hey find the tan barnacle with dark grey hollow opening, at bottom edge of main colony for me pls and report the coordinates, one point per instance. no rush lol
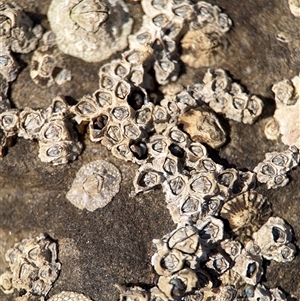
(178, 284)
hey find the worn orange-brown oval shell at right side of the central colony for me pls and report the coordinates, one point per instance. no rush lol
(203, 126)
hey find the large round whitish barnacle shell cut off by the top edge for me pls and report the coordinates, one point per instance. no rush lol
(82, 27)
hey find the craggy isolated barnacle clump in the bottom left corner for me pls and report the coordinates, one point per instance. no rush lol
(33, 268)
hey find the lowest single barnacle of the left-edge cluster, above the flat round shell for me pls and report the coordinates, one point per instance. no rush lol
(59, 152)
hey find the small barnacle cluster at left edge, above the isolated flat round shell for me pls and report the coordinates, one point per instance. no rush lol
(51, 127)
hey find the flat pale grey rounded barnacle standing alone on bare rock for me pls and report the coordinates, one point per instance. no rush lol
(96, 183)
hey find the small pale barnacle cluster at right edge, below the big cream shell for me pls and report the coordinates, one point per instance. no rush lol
(273, 169)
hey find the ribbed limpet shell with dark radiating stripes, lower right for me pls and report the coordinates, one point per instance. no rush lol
(246, 213)
